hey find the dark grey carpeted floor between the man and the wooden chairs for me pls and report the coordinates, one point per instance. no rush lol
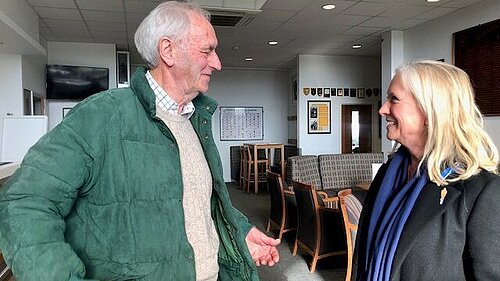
(256, 208)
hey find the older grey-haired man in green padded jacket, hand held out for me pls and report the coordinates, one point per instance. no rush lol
(129, 186)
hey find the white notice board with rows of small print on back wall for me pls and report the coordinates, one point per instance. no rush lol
(241, 123)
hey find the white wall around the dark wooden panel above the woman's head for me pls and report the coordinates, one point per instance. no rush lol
(434, 40)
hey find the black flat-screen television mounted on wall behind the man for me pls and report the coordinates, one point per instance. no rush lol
(75, 82)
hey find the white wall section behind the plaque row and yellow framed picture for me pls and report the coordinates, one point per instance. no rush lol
(335, 72)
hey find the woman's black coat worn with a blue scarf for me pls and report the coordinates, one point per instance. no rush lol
(458, 240)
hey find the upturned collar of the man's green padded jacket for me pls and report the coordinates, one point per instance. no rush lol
(141, 88)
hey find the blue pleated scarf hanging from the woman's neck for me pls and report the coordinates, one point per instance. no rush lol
(391, 209)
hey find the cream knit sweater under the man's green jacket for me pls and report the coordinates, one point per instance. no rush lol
(197, 182)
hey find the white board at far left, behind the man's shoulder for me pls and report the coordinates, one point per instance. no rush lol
(19, 134)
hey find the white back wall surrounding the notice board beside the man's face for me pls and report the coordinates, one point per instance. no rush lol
(266, 88)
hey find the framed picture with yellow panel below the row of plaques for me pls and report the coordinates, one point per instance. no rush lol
(318, 117)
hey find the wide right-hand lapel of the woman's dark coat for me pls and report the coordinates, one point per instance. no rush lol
(426, 209)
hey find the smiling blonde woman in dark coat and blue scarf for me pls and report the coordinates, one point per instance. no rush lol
(433, 210)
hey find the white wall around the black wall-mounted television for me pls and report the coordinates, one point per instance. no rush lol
(80, 54)
